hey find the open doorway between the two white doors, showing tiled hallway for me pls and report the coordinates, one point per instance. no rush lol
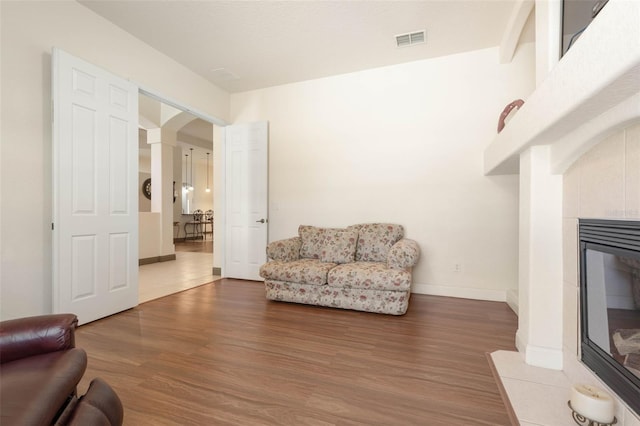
(191, 138)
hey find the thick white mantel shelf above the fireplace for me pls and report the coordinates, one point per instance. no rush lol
(592, 92)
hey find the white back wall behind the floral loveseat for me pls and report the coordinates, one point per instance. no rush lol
(402, 144)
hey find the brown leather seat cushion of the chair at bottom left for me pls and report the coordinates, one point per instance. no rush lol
(33, 389)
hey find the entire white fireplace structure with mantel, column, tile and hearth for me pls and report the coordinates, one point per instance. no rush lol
(576, 146)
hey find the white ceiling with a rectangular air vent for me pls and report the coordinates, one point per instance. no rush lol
(256, 44)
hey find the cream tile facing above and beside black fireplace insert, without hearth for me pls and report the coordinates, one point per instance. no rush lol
(603, 183)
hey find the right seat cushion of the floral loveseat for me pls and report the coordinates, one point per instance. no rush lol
(369, 275)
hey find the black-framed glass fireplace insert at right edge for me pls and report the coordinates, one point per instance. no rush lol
(610, 304)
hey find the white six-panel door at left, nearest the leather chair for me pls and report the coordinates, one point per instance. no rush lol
(95, 203)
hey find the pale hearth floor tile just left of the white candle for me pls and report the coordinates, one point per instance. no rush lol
(539, 404)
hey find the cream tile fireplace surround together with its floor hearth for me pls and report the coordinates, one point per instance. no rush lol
(602, 183)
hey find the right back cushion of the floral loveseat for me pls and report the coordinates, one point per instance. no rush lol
(375, 240)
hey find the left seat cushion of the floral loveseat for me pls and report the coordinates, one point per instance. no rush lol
(304, 271)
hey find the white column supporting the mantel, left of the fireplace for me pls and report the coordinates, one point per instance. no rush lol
(539, 335)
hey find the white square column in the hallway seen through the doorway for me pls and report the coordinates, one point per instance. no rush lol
(162, 185)
